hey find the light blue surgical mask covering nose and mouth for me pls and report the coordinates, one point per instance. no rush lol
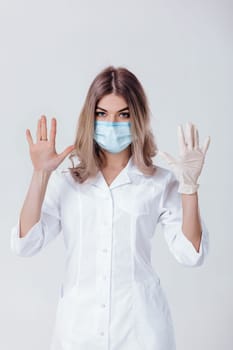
(114, 137)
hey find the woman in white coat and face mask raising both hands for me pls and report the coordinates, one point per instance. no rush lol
(107, 206)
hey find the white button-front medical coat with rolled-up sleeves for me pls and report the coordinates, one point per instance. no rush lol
(111, 297)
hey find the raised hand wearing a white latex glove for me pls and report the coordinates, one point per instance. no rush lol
(188, 166)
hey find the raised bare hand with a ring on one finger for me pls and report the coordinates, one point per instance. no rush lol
(43, 153)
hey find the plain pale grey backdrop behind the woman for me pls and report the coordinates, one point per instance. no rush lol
(182, 52)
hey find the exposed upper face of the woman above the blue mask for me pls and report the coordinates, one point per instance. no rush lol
(112, 108)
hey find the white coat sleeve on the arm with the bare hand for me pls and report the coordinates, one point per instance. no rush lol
(46, 229)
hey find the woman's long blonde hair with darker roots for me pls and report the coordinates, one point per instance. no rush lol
(122, 82)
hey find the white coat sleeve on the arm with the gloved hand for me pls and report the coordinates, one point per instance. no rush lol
(171, 221)
